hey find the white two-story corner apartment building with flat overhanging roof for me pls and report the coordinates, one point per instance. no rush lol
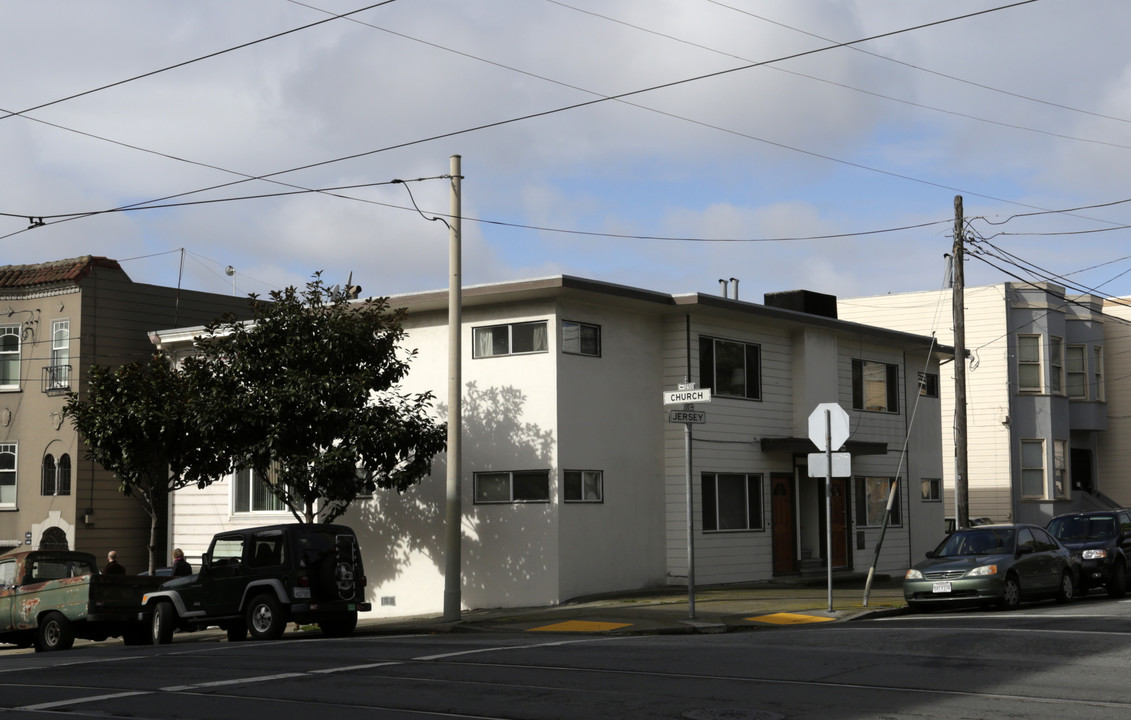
(574, 481)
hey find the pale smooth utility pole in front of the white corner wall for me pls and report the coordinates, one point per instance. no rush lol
(454, 515)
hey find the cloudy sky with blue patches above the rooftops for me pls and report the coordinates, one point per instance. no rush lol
(660, 144)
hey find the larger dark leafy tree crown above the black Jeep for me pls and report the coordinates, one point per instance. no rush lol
(307, 396)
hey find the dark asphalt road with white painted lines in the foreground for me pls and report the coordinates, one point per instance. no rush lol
(1043, 662)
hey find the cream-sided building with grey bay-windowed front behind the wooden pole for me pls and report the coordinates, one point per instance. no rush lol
(1035, 388)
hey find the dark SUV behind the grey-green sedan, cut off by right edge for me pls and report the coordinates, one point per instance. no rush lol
(1102, 542)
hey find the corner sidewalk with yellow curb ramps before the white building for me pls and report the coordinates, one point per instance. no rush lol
(719, 609)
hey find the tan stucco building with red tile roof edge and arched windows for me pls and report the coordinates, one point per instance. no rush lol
(57, 320)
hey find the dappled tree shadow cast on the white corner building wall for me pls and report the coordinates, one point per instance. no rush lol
(508, 550)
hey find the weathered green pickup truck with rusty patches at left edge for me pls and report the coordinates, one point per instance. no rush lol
(48, 598)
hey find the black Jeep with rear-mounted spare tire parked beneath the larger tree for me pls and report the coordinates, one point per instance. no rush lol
(260, 579)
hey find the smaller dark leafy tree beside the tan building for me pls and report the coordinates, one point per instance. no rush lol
(140, 423)
